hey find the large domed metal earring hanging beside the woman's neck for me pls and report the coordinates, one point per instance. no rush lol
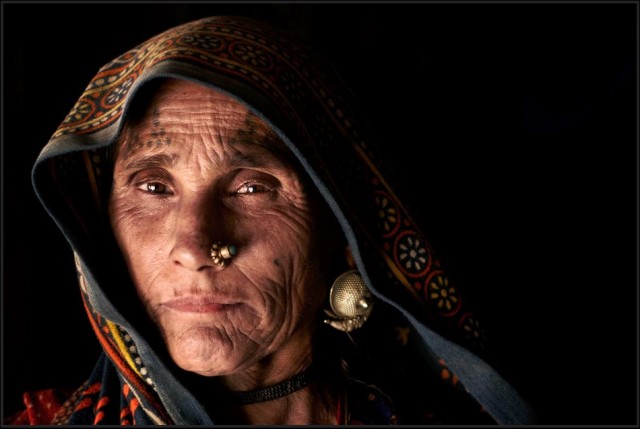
(351, 302)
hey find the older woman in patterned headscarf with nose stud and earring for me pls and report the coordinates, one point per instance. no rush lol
(241, 253)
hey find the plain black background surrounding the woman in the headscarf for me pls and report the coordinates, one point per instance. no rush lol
(514, 126)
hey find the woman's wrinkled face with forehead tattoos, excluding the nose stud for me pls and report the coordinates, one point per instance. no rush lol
(200, 168)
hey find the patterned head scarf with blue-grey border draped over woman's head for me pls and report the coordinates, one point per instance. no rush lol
(424, 330)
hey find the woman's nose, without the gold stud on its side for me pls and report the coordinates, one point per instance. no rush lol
(198, 224)
